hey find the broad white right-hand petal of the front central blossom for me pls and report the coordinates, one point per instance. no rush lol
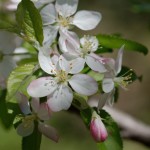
(83, 84)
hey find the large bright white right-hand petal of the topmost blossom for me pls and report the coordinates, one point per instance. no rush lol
(86, 20)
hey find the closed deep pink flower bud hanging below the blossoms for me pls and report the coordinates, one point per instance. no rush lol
(97, 128)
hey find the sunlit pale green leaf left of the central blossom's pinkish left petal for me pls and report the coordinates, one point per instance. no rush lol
(19, 79)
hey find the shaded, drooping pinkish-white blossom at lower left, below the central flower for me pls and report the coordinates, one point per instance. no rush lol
(40, 113)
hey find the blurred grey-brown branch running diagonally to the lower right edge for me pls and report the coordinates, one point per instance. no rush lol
(130, 127)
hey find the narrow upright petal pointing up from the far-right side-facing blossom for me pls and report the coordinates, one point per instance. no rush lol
(118, 63)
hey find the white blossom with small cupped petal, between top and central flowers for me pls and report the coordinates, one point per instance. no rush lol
(84, 49)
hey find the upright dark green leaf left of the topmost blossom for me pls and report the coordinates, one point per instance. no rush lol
(29, 21)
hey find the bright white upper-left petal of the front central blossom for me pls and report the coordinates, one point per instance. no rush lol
(46, 63)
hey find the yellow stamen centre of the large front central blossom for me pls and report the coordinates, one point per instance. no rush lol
(61, 76)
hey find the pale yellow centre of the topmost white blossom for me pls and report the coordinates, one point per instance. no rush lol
(64, 21)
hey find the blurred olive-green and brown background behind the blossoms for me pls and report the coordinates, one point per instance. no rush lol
(119, 17)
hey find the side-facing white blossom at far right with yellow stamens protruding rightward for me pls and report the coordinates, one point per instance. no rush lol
(110, 78)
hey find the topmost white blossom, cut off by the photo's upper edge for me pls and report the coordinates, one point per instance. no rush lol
(61, 16)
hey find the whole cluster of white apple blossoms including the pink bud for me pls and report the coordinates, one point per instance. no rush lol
(64, 56)
